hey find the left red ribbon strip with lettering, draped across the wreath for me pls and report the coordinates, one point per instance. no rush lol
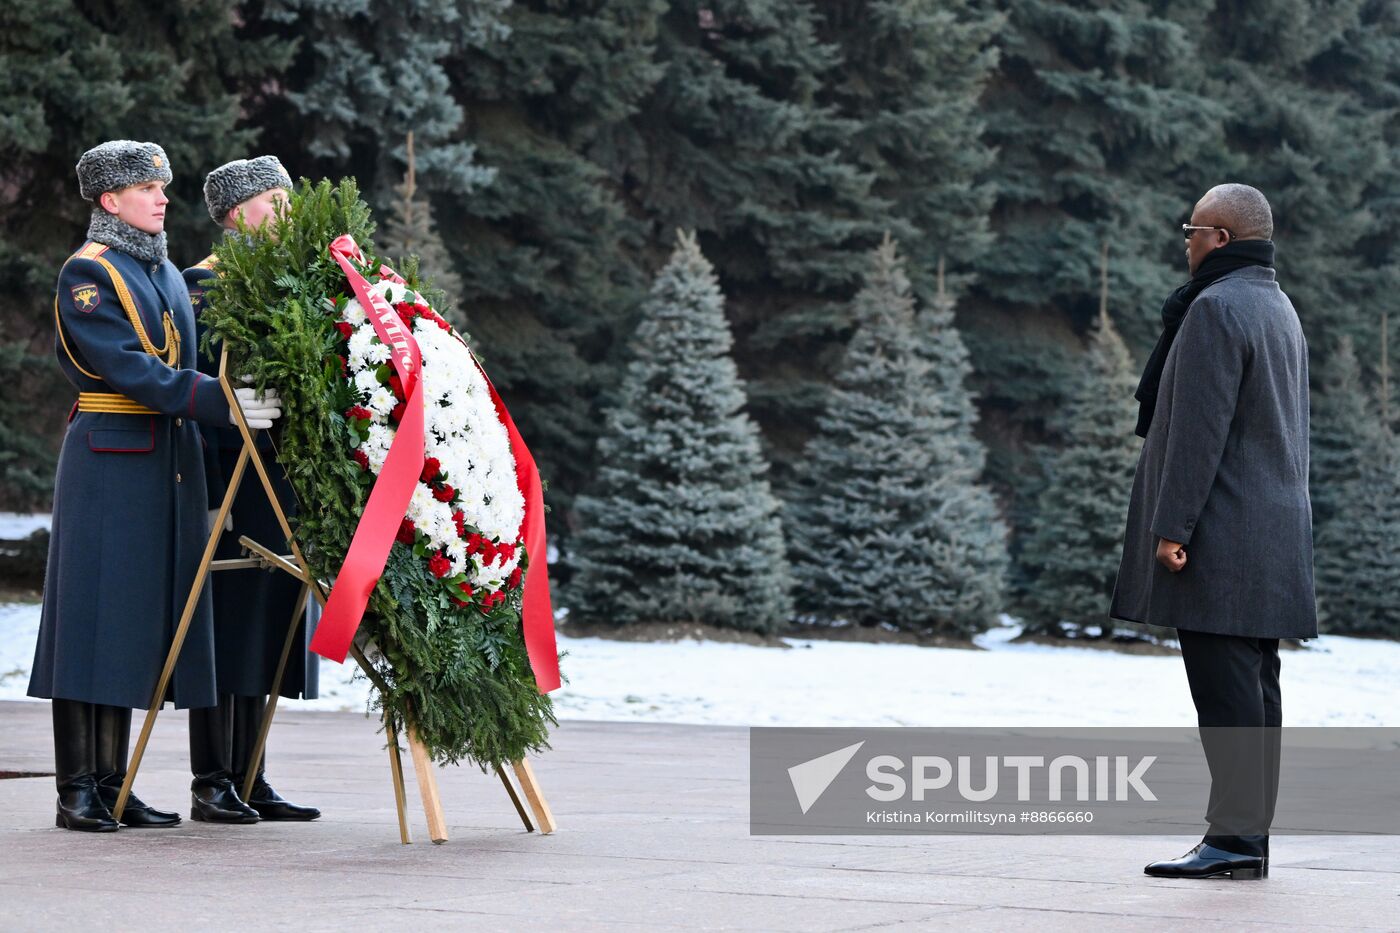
(393, 490)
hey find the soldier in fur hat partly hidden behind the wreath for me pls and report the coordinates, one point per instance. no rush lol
(253, 609)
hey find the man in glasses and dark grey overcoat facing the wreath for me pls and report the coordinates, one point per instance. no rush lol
(1219, 541)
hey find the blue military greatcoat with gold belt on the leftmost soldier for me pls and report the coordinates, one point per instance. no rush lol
(129, 505)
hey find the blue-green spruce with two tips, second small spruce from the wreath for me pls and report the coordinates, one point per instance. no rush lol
(888, 523)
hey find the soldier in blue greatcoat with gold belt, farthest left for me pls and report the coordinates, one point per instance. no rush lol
(129, 501)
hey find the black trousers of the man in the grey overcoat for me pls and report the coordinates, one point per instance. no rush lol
(1240, 710)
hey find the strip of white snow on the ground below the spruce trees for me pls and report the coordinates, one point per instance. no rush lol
(1335, 682)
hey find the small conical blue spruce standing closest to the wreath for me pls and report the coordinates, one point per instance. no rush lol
(681, 526)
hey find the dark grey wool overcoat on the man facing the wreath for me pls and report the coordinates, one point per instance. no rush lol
(1224, 471)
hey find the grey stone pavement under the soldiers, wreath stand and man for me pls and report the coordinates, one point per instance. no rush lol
(653, 837)
